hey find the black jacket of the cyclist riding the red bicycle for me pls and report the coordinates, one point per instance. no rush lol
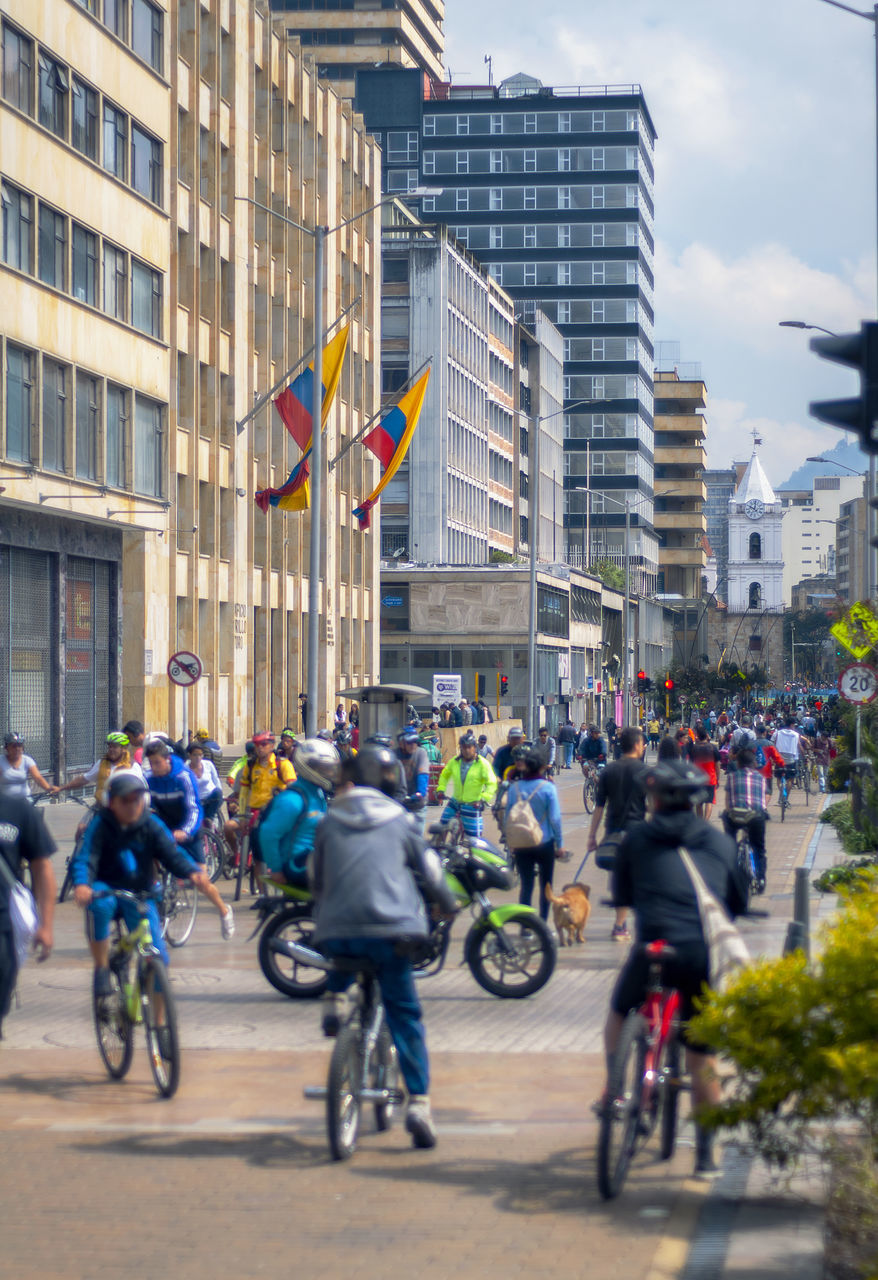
(651, 877)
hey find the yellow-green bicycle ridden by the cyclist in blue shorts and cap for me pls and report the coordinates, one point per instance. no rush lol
(144, 998)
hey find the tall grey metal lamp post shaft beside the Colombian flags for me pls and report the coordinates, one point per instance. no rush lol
(318, 481)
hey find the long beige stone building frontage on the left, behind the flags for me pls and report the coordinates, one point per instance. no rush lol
(143, 310)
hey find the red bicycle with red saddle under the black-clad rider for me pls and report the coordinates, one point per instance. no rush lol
(644, 1089)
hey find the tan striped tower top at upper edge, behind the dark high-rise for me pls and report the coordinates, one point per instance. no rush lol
(345, 36)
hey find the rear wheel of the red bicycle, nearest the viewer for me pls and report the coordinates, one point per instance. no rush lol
(618, 1139)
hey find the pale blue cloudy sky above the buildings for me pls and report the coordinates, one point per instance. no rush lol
(765, 188)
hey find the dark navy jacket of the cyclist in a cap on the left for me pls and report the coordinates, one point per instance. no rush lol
(124, 858)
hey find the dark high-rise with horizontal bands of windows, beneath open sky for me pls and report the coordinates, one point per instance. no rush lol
(554, 191)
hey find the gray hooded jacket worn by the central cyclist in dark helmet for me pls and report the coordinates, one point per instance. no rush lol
(371, 868)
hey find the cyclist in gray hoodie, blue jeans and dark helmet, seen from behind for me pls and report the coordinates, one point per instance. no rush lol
(371, 872)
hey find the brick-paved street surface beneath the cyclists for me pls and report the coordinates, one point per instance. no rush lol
(232, 1178)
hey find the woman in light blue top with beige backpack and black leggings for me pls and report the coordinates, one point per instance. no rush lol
(533, 828)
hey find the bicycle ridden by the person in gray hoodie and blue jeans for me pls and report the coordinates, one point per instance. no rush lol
(364, 1066)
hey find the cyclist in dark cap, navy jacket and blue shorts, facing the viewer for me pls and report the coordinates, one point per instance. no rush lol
(120, 851)
